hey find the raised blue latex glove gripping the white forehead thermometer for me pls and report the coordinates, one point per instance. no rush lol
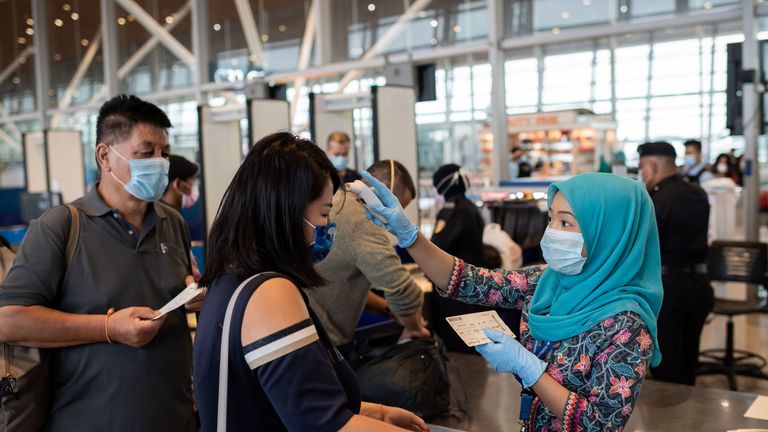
(398, 223)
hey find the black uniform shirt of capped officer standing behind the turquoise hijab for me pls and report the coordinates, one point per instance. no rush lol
(682, 213)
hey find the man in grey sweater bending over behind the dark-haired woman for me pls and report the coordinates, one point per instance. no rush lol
(362, 258)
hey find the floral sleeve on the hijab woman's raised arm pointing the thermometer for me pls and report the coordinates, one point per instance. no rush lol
(496, 288)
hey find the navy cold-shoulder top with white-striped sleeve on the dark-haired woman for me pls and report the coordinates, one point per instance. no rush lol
(291, 380)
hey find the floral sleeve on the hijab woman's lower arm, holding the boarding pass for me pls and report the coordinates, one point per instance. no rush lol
(613, 375)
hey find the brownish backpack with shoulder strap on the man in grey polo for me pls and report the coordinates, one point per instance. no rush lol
(25, 375)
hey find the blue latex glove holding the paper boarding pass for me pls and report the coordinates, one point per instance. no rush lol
(506, 354)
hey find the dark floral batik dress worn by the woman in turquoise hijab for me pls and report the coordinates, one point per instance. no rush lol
(603, 367)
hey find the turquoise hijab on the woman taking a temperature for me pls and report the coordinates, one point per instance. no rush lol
(623, 267)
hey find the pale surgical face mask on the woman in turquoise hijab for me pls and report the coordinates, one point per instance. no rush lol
(562, 251)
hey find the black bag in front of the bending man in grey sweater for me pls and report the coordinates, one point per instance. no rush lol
(412, 375)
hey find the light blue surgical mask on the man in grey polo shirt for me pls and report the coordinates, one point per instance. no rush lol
(149, 177)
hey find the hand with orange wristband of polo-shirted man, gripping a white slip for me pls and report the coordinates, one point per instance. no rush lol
(133, 326)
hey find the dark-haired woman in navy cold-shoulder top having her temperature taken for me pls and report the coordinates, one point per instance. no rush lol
(282, 372)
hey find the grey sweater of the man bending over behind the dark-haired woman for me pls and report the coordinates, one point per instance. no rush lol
(362, 258)
